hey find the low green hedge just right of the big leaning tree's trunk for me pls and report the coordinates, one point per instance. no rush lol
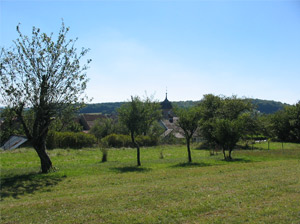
(69, 140)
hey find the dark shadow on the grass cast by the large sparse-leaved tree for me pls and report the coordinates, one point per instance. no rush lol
(26, 184)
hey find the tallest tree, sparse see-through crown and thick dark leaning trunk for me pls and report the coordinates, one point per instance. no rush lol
(44, 75)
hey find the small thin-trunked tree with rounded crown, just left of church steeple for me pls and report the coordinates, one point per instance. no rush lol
(138, 116)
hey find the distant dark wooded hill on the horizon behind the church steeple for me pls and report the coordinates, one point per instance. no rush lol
(263, 106)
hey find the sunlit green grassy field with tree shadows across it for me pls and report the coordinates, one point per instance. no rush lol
(258, 186)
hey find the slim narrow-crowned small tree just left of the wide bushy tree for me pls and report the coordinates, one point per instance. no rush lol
(188, 121)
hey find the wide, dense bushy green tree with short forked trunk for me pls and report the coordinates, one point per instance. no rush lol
(224, 121)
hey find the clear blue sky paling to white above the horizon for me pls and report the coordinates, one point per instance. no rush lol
(187, 48)
